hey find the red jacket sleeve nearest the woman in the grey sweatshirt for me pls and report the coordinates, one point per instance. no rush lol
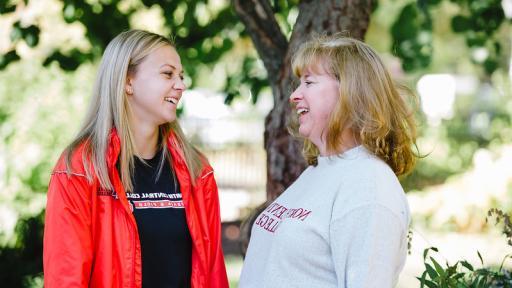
(218, 276)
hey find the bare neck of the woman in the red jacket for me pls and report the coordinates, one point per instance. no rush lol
(146, 140)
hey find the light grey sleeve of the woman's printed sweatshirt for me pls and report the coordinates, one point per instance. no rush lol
(367, 247)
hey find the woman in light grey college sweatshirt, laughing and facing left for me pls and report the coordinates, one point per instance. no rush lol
(344, 221)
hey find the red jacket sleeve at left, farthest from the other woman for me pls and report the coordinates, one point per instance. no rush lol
(67, 244)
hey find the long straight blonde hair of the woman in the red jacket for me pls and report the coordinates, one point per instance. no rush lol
(109, 109)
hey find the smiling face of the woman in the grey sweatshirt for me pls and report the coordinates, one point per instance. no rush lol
(314, 100)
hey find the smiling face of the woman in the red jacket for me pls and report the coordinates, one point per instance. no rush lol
(155, 87)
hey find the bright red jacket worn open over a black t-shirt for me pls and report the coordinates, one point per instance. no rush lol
(91, 237)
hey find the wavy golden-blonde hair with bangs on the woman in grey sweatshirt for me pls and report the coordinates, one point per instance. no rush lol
(369, 102)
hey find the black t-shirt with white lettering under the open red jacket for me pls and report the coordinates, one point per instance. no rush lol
(164, 235)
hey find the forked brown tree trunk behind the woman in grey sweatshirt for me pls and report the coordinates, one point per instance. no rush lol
(284, 160)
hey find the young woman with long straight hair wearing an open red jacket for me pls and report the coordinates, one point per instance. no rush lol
(130, 202)
